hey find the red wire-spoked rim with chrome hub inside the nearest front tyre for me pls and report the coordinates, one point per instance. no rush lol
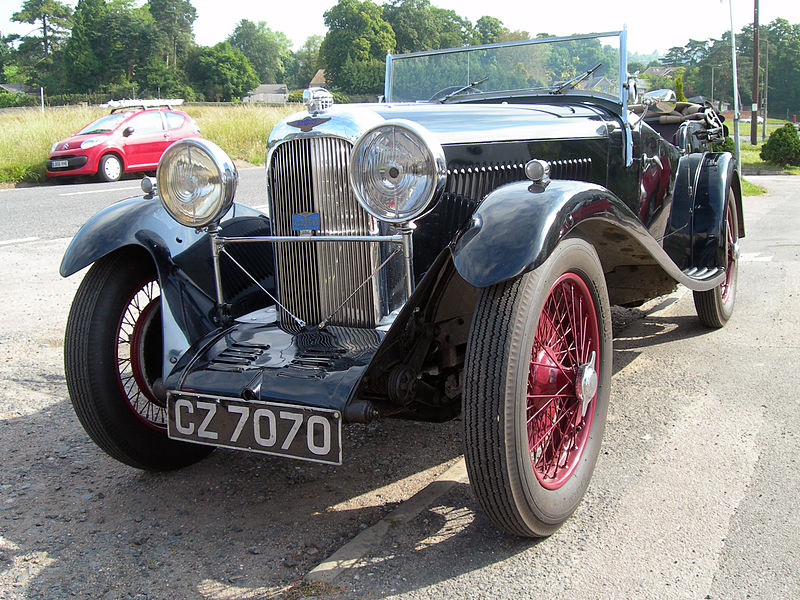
(562, 381)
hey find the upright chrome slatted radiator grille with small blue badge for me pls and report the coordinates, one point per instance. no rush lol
(309, 175)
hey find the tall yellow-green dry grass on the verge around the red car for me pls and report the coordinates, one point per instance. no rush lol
(27, 135)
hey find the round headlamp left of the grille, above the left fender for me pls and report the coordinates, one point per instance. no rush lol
(196, 182)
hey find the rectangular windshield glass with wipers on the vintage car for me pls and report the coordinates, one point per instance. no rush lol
(541, 64)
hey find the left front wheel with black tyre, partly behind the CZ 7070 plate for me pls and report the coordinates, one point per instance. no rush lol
(112, 355)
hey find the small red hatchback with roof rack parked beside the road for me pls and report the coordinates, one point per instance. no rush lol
(131, 138)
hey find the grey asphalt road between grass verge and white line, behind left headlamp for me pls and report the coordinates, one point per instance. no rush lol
(57, 210)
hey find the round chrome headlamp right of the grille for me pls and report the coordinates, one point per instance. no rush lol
(396, 169)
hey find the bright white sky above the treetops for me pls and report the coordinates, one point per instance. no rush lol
(649, 29)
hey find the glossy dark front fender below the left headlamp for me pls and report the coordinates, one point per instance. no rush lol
(187, 289)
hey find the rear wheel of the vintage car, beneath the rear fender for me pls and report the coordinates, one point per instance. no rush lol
(715, 307)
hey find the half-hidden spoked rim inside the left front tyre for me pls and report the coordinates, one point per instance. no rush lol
(138, 354)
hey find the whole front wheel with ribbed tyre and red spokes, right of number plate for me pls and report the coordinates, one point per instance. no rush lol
(536, 388)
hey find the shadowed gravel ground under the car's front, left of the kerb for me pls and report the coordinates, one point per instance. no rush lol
(75, 523)
